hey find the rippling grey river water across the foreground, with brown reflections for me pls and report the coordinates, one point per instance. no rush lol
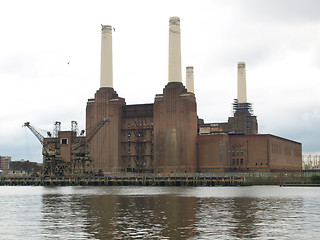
(256, 212)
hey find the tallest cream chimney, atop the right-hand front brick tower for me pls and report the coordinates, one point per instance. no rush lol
(174, 50)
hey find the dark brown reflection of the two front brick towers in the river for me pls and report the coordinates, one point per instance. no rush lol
(155, 217)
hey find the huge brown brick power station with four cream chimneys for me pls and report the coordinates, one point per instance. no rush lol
(167, 136)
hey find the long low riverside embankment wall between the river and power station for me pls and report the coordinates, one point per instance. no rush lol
(296, 178)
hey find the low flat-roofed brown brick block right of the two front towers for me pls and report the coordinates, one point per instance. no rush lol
(258, 152)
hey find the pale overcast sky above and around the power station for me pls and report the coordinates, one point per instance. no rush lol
(278, 40)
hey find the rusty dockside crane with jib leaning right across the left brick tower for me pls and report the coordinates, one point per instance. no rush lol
(81, 162)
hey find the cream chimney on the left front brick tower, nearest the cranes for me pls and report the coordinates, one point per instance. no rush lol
(106, 73)
